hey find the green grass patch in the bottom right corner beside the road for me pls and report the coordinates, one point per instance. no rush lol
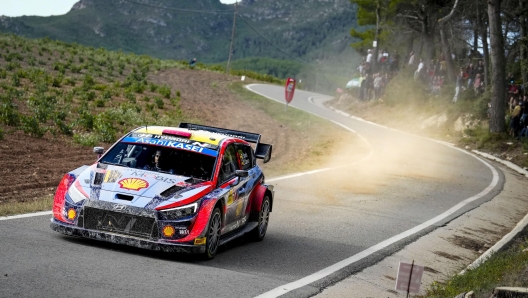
(506, 268)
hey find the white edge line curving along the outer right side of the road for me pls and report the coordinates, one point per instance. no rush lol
(281, 290)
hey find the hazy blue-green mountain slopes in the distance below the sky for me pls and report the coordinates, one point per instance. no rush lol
(184, 29)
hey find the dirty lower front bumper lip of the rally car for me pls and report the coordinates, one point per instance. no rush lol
(70, 230)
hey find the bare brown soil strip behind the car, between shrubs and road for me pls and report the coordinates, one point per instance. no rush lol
(31, 168)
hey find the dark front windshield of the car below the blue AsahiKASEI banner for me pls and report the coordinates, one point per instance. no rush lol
(161, 159)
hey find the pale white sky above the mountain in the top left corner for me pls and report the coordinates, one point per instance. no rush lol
(16, 8)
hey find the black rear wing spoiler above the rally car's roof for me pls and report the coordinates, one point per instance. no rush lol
(262, 151)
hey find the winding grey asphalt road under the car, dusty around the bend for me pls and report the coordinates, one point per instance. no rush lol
(324, 226)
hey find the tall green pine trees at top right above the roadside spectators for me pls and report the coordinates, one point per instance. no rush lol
(494, 31)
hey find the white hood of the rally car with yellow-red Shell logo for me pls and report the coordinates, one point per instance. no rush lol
(140, 188)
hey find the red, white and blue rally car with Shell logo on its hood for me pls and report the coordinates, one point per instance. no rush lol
(190, 189)
